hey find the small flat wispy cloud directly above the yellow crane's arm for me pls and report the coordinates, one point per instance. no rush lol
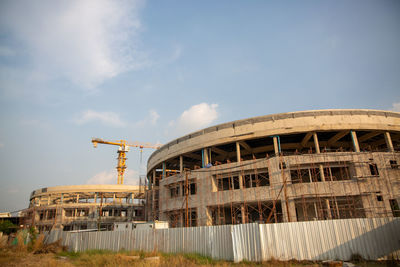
(106, 118)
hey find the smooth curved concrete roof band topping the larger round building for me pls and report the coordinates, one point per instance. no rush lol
(278, 124)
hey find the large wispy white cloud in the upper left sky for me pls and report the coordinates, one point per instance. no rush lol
(86, 42)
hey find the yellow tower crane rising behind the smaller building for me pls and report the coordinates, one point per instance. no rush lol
(122, 150)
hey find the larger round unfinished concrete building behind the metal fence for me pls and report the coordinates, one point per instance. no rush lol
(297, 166)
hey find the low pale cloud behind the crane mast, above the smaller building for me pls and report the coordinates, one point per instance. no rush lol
(131, 177)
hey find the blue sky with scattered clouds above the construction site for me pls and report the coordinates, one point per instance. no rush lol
(152, 71)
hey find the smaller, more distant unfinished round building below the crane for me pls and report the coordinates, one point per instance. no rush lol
(79, 207)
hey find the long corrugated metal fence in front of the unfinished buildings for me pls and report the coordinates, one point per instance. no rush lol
(371, 238)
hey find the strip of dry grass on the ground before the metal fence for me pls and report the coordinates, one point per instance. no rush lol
(13, 257)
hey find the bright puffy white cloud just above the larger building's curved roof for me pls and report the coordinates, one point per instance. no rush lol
(195, 118)
